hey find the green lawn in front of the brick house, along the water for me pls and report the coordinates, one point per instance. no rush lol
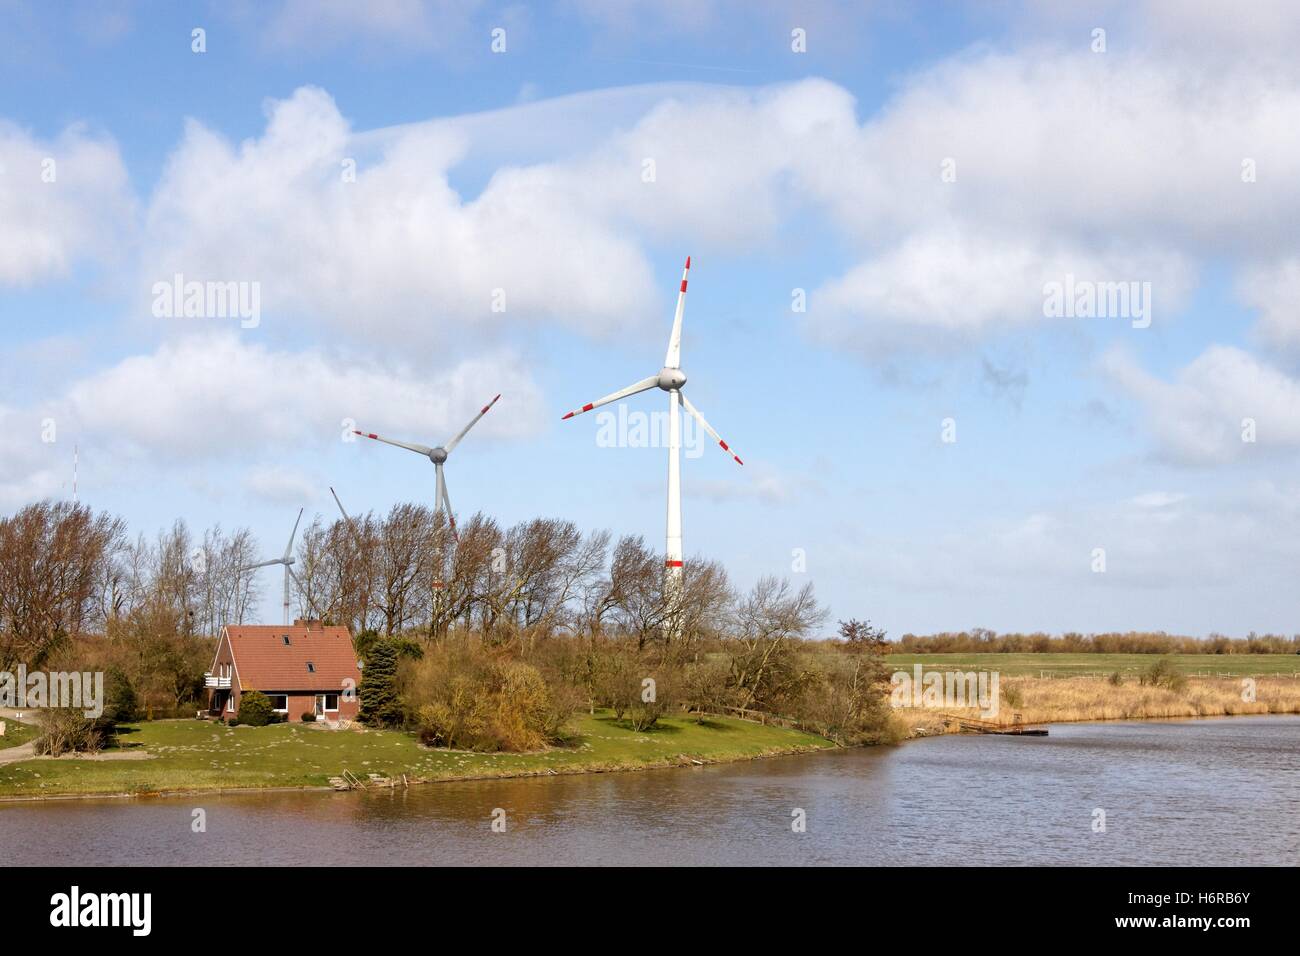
(194, 755)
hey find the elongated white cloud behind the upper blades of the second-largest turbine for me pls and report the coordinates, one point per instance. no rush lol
(218, 397)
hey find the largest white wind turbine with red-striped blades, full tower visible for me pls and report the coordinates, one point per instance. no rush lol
(670, 379)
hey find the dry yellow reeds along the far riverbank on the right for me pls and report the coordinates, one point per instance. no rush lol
(1054, 700)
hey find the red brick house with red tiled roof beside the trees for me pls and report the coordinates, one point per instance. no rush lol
(305, 669)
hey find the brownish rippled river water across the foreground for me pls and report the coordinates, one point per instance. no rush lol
(1191, 793)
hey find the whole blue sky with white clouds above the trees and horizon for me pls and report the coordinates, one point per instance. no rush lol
(887, 207)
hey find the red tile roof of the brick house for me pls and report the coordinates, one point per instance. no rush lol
(265, 663)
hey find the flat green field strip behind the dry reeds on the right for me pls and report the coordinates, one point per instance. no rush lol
(1103, 665)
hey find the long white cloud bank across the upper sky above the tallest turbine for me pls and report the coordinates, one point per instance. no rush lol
(1065, 163)
